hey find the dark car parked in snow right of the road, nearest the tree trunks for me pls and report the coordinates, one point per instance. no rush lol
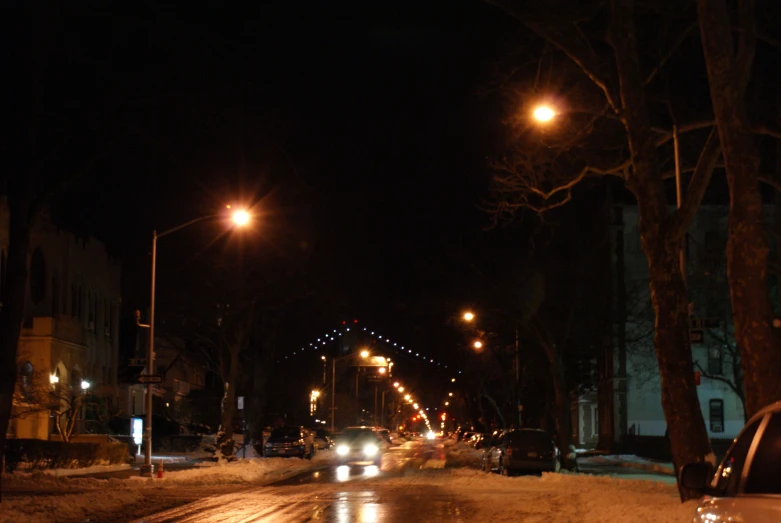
(521, 450)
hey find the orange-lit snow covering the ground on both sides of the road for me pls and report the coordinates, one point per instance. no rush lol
(488, 497)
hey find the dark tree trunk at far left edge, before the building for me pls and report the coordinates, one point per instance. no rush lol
(12, 311)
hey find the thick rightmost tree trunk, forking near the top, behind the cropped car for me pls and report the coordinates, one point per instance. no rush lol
(747, 244)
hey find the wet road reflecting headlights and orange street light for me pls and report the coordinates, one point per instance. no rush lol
(336, 495)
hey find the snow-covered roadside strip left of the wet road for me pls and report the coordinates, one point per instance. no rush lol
(39, 498)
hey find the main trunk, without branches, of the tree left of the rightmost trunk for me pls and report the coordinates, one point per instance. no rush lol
(688, 438)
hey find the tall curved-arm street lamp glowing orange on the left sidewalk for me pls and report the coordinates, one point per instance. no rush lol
(240, 218)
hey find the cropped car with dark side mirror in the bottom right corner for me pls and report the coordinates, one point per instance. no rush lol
(747, 484)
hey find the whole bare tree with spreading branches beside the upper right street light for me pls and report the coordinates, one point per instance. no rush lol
(539, 185)
